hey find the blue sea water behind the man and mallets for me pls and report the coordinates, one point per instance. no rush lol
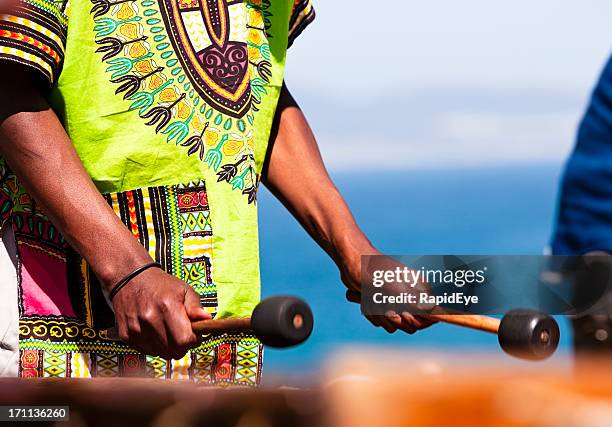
(495, 211)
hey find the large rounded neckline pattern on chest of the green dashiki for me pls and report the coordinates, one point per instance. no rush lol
(196, 71)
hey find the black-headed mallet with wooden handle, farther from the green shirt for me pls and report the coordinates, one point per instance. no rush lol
(526, 334)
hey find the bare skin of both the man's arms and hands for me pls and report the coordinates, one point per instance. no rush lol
(154, 312)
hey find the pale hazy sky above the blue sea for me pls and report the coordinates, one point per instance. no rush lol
(441, 83)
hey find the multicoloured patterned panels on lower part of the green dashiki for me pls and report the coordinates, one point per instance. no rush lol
(60, 325)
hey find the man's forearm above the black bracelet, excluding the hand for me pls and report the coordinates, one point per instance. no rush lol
(40, 153)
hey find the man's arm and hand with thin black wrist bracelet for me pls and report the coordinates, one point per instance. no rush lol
(153, 312)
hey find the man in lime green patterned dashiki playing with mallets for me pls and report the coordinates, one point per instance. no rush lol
(137, 132)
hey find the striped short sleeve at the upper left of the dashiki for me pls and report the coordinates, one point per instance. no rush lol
(33, 33)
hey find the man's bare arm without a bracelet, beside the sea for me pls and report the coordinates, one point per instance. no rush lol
(293, 160)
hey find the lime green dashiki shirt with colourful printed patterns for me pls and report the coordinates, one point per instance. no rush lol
(169, 104)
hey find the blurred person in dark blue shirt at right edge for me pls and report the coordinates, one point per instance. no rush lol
(584, 222)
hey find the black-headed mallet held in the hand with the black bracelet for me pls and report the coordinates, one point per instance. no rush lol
(280, 321)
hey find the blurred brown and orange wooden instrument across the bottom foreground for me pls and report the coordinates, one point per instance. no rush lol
(358, 389)
